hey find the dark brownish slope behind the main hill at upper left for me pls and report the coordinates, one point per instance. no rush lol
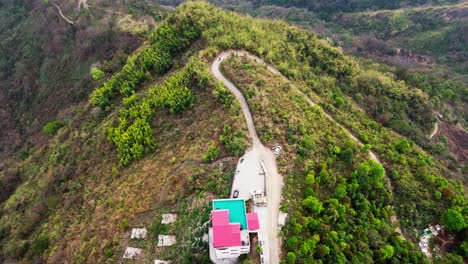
(45, 61)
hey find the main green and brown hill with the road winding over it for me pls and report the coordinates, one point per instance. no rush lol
(150, 137)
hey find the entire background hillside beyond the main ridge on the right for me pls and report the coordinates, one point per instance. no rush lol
(421, 44)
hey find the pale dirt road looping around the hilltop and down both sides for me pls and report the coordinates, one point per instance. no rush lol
(274, 182)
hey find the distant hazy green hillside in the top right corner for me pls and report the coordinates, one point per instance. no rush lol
(430, 31)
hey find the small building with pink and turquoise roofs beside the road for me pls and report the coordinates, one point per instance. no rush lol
(231, 227)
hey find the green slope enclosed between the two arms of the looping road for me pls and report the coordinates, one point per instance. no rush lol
(338, 203)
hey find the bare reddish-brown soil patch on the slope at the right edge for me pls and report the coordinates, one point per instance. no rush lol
(457, 140)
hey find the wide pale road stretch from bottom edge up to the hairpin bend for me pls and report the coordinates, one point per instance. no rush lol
(274, 180)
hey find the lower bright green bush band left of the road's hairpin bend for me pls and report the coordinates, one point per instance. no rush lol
(134, 136)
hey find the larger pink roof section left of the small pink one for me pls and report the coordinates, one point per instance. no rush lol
(224, 233)
